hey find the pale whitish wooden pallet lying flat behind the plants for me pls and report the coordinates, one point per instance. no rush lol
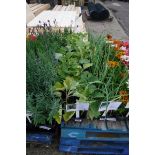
(65, 17)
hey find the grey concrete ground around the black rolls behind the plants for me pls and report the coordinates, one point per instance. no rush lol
(118, 27)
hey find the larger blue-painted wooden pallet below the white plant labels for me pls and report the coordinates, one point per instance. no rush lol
(98, 137)
